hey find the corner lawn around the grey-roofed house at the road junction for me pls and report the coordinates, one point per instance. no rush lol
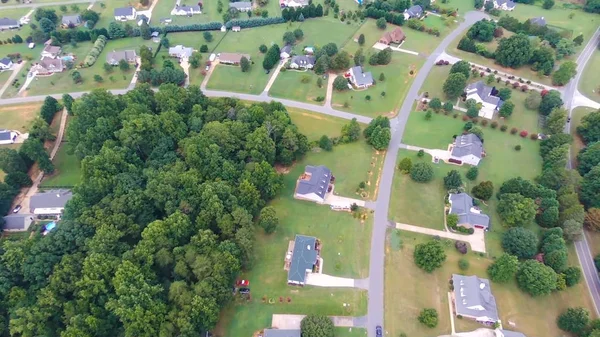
(396, 84)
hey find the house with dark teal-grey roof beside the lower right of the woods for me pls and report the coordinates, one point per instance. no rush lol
(302, 258)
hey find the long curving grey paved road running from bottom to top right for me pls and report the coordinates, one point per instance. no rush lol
(376, 265)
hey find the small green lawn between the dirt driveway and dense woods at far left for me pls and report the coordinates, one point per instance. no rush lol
(67, 169)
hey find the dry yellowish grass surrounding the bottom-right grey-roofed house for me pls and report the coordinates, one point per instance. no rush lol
(531, 316)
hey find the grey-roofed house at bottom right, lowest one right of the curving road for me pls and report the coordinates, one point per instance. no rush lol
(473, 299)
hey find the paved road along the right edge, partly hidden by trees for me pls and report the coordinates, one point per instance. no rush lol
(582, 248)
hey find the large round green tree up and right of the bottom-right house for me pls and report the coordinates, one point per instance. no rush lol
(535, 278)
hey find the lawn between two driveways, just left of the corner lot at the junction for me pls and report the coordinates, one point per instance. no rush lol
(289, 85)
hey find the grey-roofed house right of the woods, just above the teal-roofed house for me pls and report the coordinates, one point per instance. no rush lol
(314, 183)
